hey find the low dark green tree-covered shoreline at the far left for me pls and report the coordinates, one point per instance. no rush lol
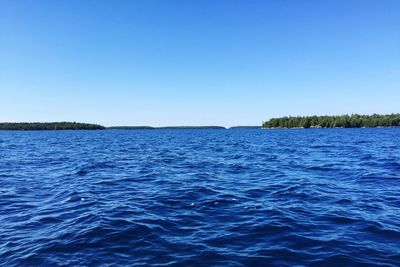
(49, 126)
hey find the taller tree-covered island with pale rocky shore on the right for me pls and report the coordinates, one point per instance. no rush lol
(343, 121)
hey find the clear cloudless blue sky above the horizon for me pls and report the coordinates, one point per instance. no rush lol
(204, 62)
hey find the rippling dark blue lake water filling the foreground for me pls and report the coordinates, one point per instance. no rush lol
(319, 197)
